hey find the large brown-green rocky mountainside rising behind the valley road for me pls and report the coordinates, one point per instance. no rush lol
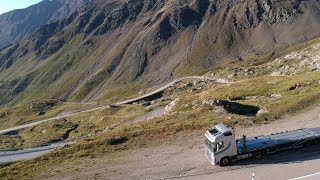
(110, 46)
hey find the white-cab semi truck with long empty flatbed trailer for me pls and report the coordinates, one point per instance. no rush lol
(221, 147)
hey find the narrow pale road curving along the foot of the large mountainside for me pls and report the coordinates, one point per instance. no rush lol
(102, 107)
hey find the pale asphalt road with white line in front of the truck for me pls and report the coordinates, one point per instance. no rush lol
(305, 168)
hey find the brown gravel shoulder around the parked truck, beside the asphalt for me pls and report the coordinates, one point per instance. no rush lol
(182, 154)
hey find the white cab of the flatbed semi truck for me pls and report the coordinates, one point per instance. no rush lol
(220, 145)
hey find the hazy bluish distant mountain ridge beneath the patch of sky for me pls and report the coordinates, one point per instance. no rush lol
(18, 24)
